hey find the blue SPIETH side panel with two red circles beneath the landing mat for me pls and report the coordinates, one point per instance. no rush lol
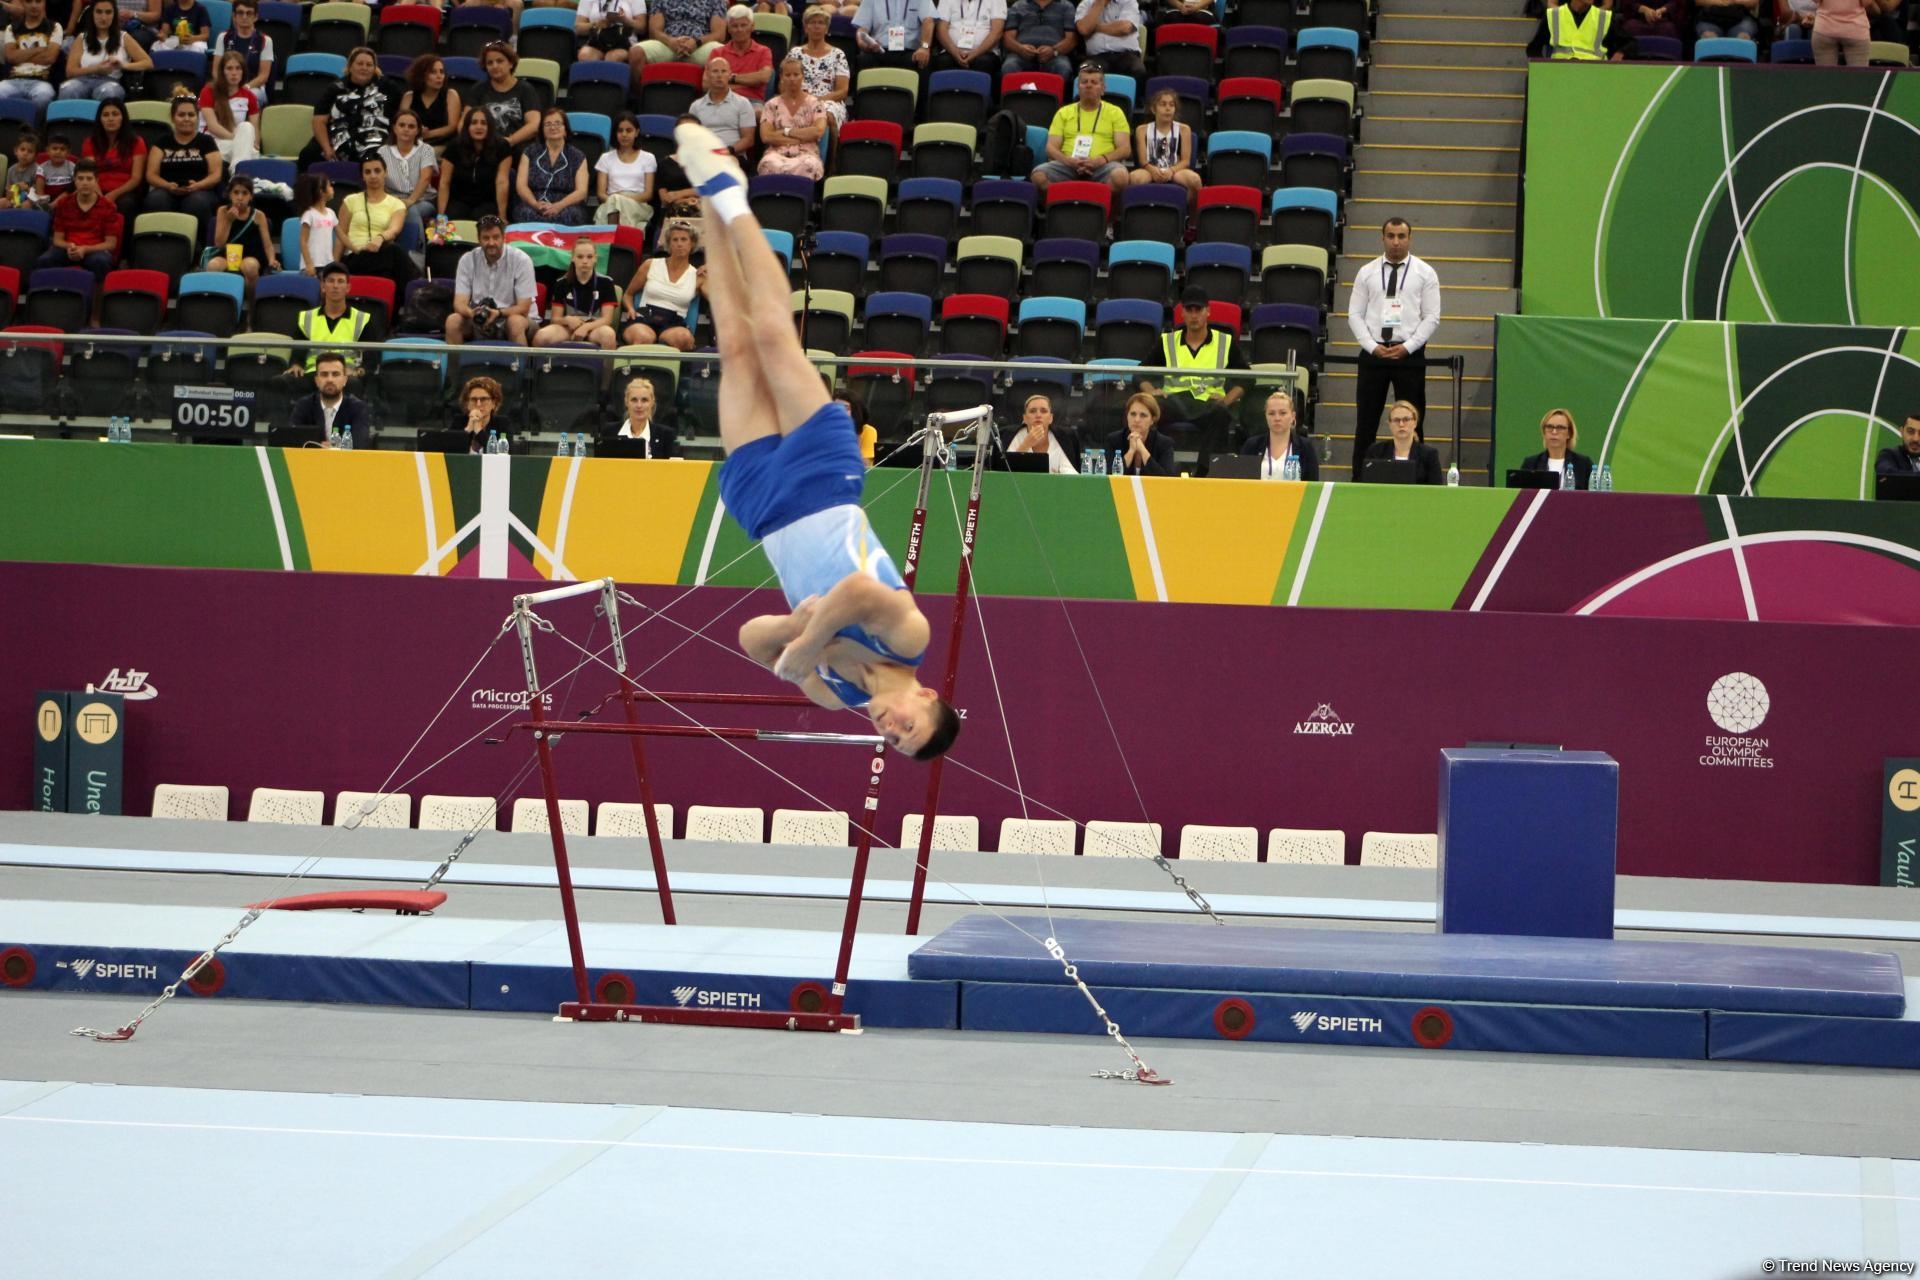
(1343, 1020)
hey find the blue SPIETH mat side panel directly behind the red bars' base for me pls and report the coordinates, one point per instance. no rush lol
(540, 989)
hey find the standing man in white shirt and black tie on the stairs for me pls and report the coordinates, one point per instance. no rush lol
(1393, 314)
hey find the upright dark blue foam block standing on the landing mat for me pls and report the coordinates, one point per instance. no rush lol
(1527, 841)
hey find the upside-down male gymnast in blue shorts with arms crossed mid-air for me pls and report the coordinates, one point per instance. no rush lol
(794, 477)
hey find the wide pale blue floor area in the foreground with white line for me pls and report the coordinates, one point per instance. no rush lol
(345, 1187)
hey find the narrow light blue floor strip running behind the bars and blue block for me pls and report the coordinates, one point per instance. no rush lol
(999, 895)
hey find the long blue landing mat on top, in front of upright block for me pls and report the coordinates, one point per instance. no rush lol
(1422, 966)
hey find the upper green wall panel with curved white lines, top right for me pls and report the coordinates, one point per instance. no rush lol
(1723, 193)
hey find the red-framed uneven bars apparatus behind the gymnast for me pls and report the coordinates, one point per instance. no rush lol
(811, 1007)
